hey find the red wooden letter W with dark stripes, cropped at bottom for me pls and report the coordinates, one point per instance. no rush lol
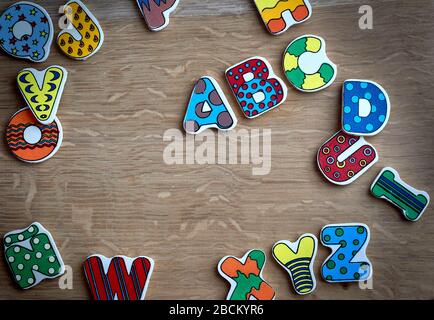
(111, 279)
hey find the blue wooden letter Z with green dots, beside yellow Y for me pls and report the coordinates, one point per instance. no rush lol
(352, 240)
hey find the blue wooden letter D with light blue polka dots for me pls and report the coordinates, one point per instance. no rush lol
(356, 121)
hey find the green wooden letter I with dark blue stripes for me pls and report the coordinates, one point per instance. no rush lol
(390, 186)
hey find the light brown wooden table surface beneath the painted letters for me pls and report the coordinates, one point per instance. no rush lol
(108, 190)
